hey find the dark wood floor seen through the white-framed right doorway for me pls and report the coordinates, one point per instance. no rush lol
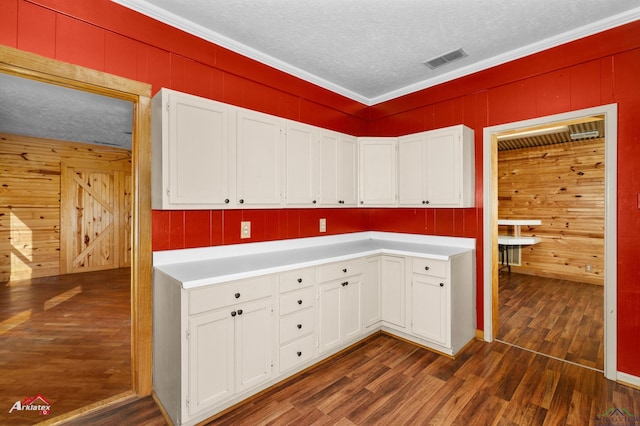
(556, 317)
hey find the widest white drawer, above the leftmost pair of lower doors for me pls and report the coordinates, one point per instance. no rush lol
(220, 295)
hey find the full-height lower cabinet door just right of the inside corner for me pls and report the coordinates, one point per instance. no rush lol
(392, 274)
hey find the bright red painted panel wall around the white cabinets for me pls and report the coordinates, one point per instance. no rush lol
(597, 70)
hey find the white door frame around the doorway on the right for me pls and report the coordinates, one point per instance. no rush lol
(610, 113)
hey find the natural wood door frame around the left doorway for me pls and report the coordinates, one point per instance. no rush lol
(31, 66)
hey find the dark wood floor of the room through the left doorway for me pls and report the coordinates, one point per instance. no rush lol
(67, 338)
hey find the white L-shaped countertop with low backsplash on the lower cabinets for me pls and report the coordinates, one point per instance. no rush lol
(211, 265)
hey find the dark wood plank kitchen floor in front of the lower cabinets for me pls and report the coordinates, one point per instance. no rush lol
(386, 381)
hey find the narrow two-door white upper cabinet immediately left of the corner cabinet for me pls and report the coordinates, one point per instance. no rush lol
(338, 169)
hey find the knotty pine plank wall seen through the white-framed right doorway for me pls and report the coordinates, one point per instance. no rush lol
(563, 186)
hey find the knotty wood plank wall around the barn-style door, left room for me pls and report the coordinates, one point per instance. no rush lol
(30, 200)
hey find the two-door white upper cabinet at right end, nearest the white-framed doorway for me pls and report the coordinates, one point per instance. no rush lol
(436, 168)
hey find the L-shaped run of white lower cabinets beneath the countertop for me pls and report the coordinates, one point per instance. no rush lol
(215, 345)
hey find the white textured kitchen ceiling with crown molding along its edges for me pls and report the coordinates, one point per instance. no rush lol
(374, 50)
